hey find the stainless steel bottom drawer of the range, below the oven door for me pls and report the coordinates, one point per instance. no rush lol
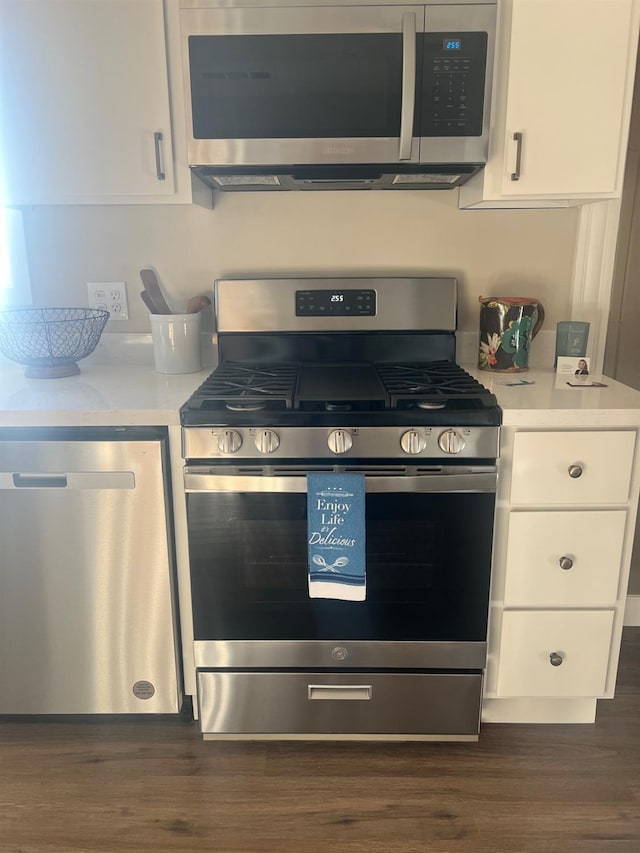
(406, 706)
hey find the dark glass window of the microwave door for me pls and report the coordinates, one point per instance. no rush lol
(296, 86)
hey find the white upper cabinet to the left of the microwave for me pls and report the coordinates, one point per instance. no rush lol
(84, 103)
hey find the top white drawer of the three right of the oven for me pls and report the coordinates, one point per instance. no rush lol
(572, 467)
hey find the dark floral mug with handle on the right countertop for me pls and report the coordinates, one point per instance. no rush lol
(508, 324)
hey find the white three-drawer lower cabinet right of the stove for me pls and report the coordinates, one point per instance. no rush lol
(565, 521)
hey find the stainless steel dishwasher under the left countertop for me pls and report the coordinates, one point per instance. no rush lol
(88, 619)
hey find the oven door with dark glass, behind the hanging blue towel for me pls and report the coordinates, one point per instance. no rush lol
(428, 557)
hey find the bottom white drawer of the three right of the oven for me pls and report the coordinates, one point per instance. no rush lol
(530, 641)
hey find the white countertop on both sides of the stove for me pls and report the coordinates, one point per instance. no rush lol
(118, 386)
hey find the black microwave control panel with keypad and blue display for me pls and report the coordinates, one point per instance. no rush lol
(453, 84)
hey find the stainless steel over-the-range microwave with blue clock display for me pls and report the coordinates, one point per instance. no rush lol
(306, 94)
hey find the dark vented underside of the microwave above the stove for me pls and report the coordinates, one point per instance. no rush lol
(387, 177)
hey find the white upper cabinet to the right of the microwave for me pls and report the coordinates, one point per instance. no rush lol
(562, 102)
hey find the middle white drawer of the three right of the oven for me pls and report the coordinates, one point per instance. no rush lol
(557, 559)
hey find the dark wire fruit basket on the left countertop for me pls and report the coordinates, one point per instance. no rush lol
(50, 340)
